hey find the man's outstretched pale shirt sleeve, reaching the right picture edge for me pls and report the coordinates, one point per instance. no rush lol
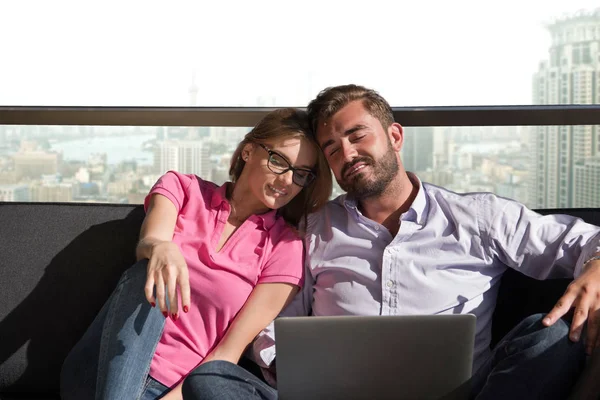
(540, 246)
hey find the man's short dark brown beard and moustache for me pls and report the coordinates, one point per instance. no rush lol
(384, 171)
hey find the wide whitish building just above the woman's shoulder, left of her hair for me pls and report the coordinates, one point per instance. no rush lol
(185, 156)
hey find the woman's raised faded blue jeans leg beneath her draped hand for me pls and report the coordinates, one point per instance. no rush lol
(112, 359)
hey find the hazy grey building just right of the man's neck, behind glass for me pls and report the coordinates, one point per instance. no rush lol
(417, 150)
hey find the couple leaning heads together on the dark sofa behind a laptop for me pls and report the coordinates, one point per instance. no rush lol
(218, 264)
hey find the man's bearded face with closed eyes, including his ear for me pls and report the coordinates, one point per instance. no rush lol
(361, 153)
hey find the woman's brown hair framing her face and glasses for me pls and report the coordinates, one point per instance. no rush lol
(281, 124)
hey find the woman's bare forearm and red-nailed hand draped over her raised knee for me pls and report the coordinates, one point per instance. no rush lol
(166, 266)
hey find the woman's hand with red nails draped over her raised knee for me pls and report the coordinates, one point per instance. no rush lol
(167, 270)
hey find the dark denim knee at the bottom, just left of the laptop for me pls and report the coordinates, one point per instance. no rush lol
(225, 381)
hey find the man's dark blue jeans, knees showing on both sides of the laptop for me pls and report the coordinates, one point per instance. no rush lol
(531, 362)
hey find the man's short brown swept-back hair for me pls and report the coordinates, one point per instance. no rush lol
(332, 99)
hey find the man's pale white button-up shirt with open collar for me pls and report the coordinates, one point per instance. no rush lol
(447, 258)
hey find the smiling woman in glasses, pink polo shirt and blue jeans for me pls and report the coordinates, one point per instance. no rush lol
(229, 256)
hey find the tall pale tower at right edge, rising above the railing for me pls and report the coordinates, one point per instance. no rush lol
(571, 75)
